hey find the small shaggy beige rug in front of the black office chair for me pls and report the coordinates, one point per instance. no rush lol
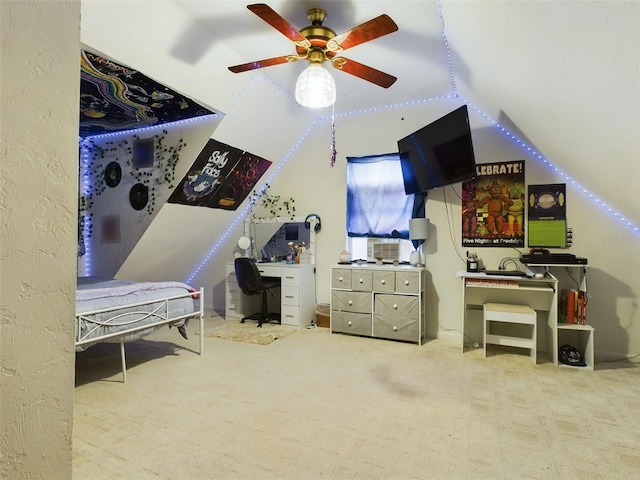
(247, 332)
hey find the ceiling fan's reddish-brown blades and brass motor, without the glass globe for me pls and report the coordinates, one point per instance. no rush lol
(318, 43)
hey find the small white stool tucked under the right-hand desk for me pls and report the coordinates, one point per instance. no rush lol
(516, 314)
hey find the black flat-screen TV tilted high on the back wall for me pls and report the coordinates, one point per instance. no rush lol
(438, 154)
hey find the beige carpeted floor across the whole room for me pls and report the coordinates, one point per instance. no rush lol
(314, 405)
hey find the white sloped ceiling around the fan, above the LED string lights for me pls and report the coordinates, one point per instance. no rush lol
(562, 76)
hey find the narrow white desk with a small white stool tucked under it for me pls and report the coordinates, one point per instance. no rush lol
(539, 294)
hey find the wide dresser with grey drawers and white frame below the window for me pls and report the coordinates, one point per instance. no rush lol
(381, 301)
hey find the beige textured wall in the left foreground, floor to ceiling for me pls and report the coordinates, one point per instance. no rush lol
(38, 202)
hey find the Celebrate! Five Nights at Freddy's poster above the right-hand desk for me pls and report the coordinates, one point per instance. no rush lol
(493, 206)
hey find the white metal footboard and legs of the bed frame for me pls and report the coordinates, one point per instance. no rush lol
(157, 309)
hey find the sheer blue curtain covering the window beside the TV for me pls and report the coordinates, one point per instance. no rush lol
(377, 205)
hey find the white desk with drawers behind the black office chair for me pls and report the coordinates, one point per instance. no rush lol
(296, 299)
